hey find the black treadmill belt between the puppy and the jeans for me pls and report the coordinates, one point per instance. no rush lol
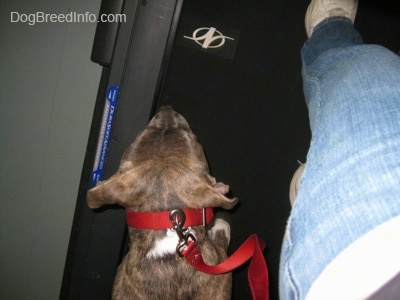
(247, 111)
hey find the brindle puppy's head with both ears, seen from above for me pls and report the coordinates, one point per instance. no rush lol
(165, 167)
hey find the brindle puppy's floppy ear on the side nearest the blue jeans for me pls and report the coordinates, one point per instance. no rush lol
(210, 196)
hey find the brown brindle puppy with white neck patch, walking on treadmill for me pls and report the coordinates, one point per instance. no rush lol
(165, 168)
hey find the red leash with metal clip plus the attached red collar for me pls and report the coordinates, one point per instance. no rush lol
(251, 248)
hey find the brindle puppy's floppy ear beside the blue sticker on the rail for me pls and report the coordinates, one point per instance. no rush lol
(111, 191)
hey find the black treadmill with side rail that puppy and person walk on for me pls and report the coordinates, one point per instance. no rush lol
(234, 72)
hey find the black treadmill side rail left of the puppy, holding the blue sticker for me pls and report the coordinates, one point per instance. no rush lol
(98, 238)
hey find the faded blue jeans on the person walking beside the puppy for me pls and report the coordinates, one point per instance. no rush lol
(351, 182)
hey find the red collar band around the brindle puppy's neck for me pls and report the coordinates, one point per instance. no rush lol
(161, 220)
